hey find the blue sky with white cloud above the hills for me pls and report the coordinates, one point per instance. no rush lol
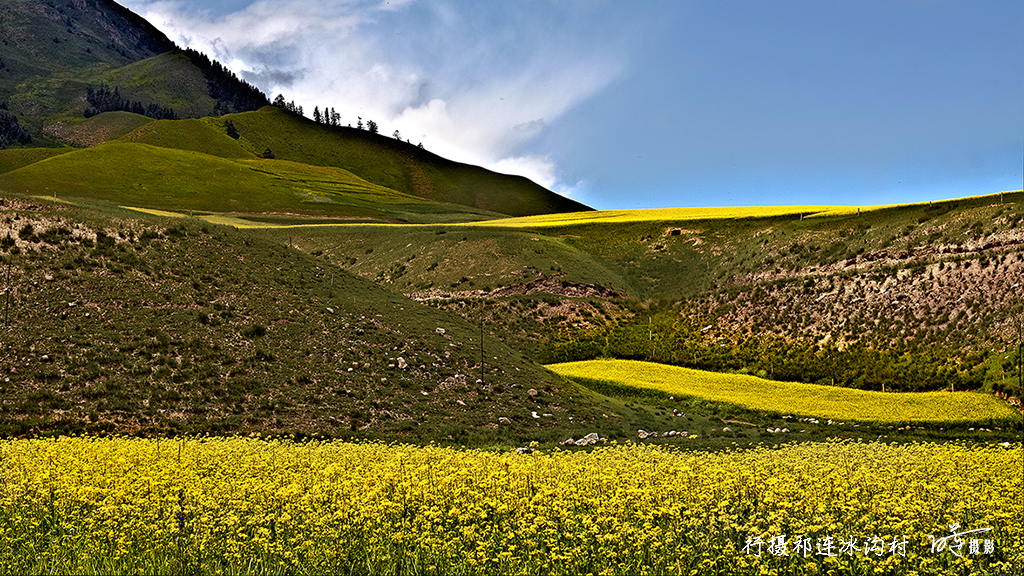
(658, 104)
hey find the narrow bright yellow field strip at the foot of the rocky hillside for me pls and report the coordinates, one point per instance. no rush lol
(793, 398)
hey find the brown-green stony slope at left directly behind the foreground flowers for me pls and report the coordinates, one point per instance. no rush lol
(137, 326)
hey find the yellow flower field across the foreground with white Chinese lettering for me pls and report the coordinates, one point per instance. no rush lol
(248, 506)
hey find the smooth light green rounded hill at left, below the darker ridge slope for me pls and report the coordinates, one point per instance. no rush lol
(167, 179)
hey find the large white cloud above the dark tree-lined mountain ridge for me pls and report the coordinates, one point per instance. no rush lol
(475, 89)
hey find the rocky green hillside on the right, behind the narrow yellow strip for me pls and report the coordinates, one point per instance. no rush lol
(914, 298)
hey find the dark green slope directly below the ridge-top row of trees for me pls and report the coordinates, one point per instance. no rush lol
(380, 160)
